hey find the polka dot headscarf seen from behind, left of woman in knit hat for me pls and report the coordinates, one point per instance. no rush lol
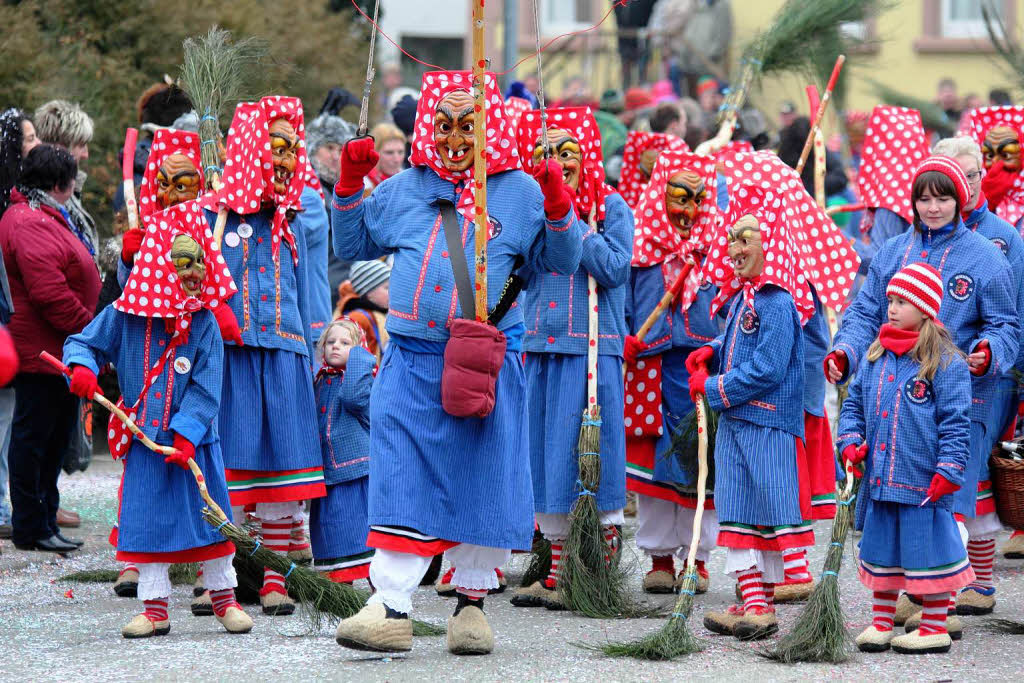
(894, 144)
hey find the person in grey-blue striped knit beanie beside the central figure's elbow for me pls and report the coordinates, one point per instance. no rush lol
(364, 298)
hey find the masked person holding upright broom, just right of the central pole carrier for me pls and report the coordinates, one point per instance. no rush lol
(557, 341)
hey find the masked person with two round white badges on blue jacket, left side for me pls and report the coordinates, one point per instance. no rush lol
(269, 417)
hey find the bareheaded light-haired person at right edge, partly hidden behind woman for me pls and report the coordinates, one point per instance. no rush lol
(979, 597)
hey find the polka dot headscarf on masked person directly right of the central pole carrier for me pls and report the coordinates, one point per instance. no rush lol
(580, 123)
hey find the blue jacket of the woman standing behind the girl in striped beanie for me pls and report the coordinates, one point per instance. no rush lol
(979, 302)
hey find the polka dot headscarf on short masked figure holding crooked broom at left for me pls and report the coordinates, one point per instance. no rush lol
(153, 289)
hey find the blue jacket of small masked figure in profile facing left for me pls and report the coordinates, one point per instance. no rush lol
(761, 363)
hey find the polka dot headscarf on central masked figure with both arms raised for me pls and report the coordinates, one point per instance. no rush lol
(501, 153)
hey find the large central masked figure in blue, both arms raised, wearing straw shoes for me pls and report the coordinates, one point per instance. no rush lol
(440, 483)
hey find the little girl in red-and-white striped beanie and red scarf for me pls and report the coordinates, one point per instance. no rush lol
(907, 417)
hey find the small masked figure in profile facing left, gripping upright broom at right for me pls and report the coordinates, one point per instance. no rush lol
(758, 393)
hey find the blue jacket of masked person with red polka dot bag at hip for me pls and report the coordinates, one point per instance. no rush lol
(677, 329)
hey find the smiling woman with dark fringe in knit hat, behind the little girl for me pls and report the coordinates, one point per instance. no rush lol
(979, 307)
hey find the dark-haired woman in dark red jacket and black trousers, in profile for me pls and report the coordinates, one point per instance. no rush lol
(55, 286)
